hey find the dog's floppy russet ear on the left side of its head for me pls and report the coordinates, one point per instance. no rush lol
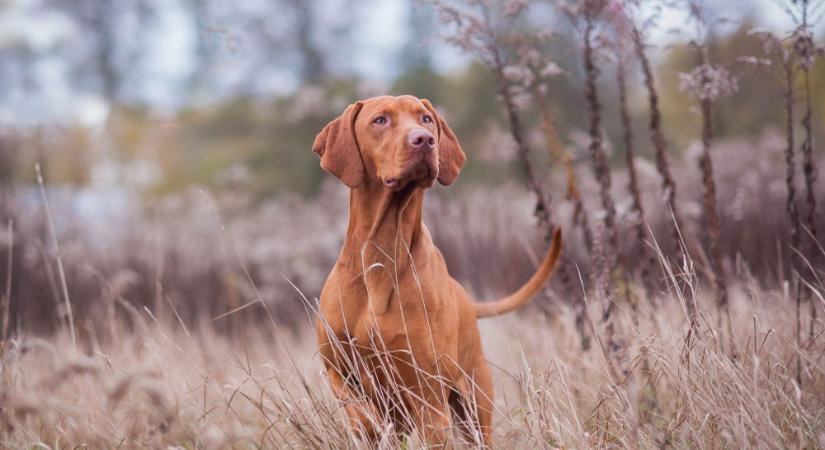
(338, 148)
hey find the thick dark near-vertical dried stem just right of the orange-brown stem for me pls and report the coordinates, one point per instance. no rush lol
(600, 168)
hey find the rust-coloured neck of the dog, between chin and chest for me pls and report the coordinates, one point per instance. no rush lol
(384, 226)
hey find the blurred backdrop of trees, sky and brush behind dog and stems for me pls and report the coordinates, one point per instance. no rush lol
(174, 140)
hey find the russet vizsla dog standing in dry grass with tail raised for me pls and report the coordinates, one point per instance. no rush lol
(397, 334)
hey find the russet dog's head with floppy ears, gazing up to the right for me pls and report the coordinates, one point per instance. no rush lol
(393, 141)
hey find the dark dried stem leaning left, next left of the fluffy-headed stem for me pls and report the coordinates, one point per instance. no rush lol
(657, 136)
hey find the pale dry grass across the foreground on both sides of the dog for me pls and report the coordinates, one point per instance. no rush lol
(164, 385)
